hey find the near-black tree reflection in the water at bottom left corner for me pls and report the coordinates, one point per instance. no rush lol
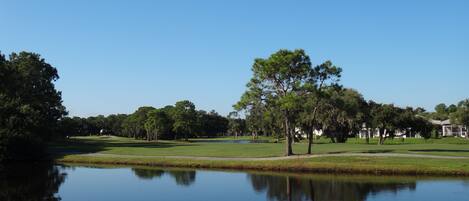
(30, 182)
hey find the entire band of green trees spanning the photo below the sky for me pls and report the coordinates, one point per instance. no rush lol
(286, 95)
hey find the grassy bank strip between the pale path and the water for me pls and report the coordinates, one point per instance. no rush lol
(351, 165)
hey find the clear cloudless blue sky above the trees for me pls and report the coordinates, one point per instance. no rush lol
(114, 56)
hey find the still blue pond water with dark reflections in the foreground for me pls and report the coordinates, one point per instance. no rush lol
(81, 183)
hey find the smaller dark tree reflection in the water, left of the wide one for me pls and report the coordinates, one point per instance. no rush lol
(182, 177)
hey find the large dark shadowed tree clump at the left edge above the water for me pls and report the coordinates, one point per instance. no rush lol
(30, 106)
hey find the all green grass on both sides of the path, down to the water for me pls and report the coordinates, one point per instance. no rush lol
(135, 152)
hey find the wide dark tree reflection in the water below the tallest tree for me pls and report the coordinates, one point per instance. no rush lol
(323, 188)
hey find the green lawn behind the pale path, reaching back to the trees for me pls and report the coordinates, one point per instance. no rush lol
(126, 146)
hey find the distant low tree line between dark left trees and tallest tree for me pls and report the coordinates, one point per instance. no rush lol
(179, 121)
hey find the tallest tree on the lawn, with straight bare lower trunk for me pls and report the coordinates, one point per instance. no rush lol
(281, 80)
